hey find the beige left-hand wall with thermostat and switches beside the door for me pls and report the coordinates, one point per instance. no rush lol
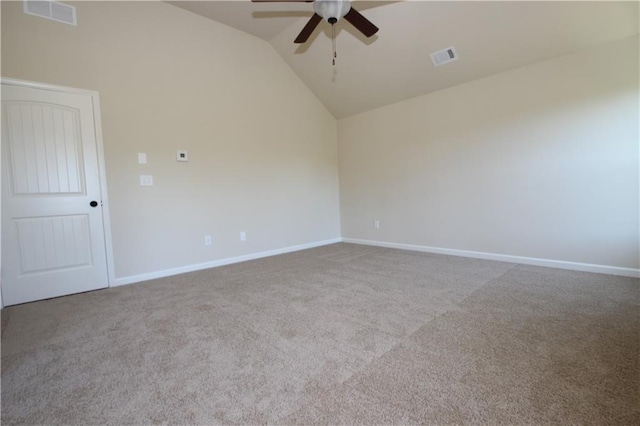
(263, 150)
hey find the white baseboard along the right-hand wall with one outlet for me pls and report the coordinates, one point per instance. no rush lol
(574, 266)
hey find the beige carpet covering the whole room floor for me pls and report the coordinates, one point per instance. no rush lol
(341, 334)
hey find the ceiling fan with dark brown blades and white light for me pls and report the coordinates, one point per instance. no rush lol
(332, 11)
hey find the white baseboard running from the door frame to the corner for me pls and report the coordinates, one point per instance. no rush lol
(221, 262)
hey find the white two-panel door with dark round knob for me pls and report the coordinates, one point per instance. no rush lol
(53, 240)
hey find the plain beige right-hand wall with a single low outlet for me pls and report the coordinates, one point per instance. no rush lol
(538, 162)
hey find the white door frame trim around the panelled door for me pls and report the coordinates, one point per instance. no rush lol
(95, 100)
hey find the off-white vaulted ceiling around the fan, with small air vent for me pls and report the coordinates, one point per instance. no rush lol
(393, 65)
